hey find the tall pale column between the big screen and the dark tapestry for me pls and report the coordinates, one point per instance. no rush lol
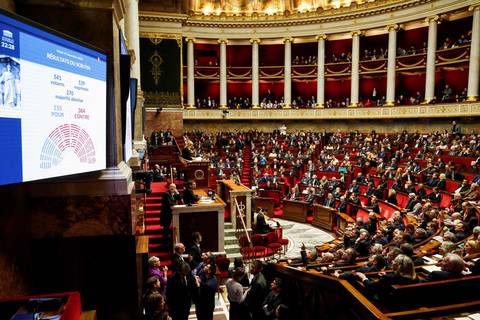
(132, 34)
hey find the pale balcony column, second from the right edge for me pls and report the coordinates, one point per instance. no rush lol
(431, 51)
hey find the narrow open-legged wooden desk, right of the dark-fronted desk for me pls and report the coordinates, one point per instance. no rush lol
(228, 191)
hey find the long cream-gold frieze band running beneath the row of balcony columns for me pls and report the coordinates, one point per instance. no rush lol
(396, 112)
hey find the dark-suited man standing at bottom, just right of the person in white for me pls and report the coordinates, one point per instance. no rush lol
(257, 292)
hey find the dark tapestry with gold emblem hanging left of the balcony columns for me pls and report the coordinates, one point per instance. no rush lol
(160, 68)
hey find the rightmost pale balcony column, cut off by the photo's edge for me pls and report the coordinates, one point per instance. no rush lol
(474, 66)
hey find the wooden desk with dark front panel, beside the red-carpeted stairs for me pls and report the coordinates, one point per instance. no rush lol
(206, 218)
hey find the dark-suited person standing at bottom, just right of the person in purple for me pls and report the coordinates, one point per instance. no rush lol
(181, 289)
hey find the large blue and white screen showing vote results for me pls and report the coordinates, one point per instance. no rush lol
(52, 103)
